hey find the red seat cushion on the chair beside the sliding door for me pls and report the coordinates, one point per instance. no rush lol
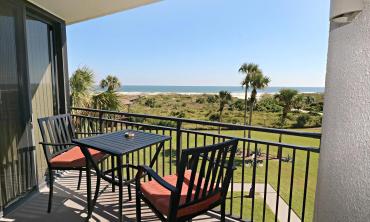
(74, 158)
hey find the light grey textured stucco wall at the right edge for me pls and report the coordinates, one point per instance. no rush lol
(343, 189)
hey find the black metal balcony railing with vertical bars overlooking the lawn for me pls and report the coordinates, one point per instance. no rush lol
(276, 168)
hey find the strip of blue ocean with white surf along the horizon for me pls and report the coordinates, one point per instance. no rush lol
(207, 89)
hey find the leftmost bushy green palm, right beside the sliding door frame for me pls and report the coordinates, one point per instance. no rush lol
(81, 83)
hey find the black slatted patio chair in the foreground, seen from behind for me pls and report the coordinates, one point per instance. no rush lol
(201, 183)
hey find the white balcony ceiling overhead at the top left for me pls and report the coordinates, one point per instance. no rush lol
(73, 11)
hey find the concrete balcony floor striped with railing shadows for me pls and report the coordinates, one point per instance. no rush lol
(69, 204)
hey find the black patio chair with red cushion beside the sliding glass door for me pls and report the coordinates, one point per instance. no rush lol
(60, 153)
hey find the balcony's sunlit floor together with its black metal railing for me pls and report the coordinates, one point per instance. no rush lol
(275, 177)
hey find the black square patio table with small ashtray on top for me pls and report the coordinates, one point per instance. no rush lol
(117, 145)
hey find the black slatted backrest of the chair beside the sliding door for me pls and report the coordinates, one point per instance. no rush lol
(56, 130)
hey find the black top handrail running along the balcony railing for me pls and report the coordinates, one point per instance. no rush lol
(219, 124)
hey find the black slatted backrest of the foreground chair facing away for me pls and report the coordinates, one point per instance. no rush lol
(211, 171)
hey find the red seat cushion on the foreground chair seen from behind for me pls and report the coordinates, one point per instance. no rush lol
(160, 196)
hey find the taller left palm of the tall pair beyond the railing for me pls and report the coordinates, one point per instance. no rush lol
(248, 69)
